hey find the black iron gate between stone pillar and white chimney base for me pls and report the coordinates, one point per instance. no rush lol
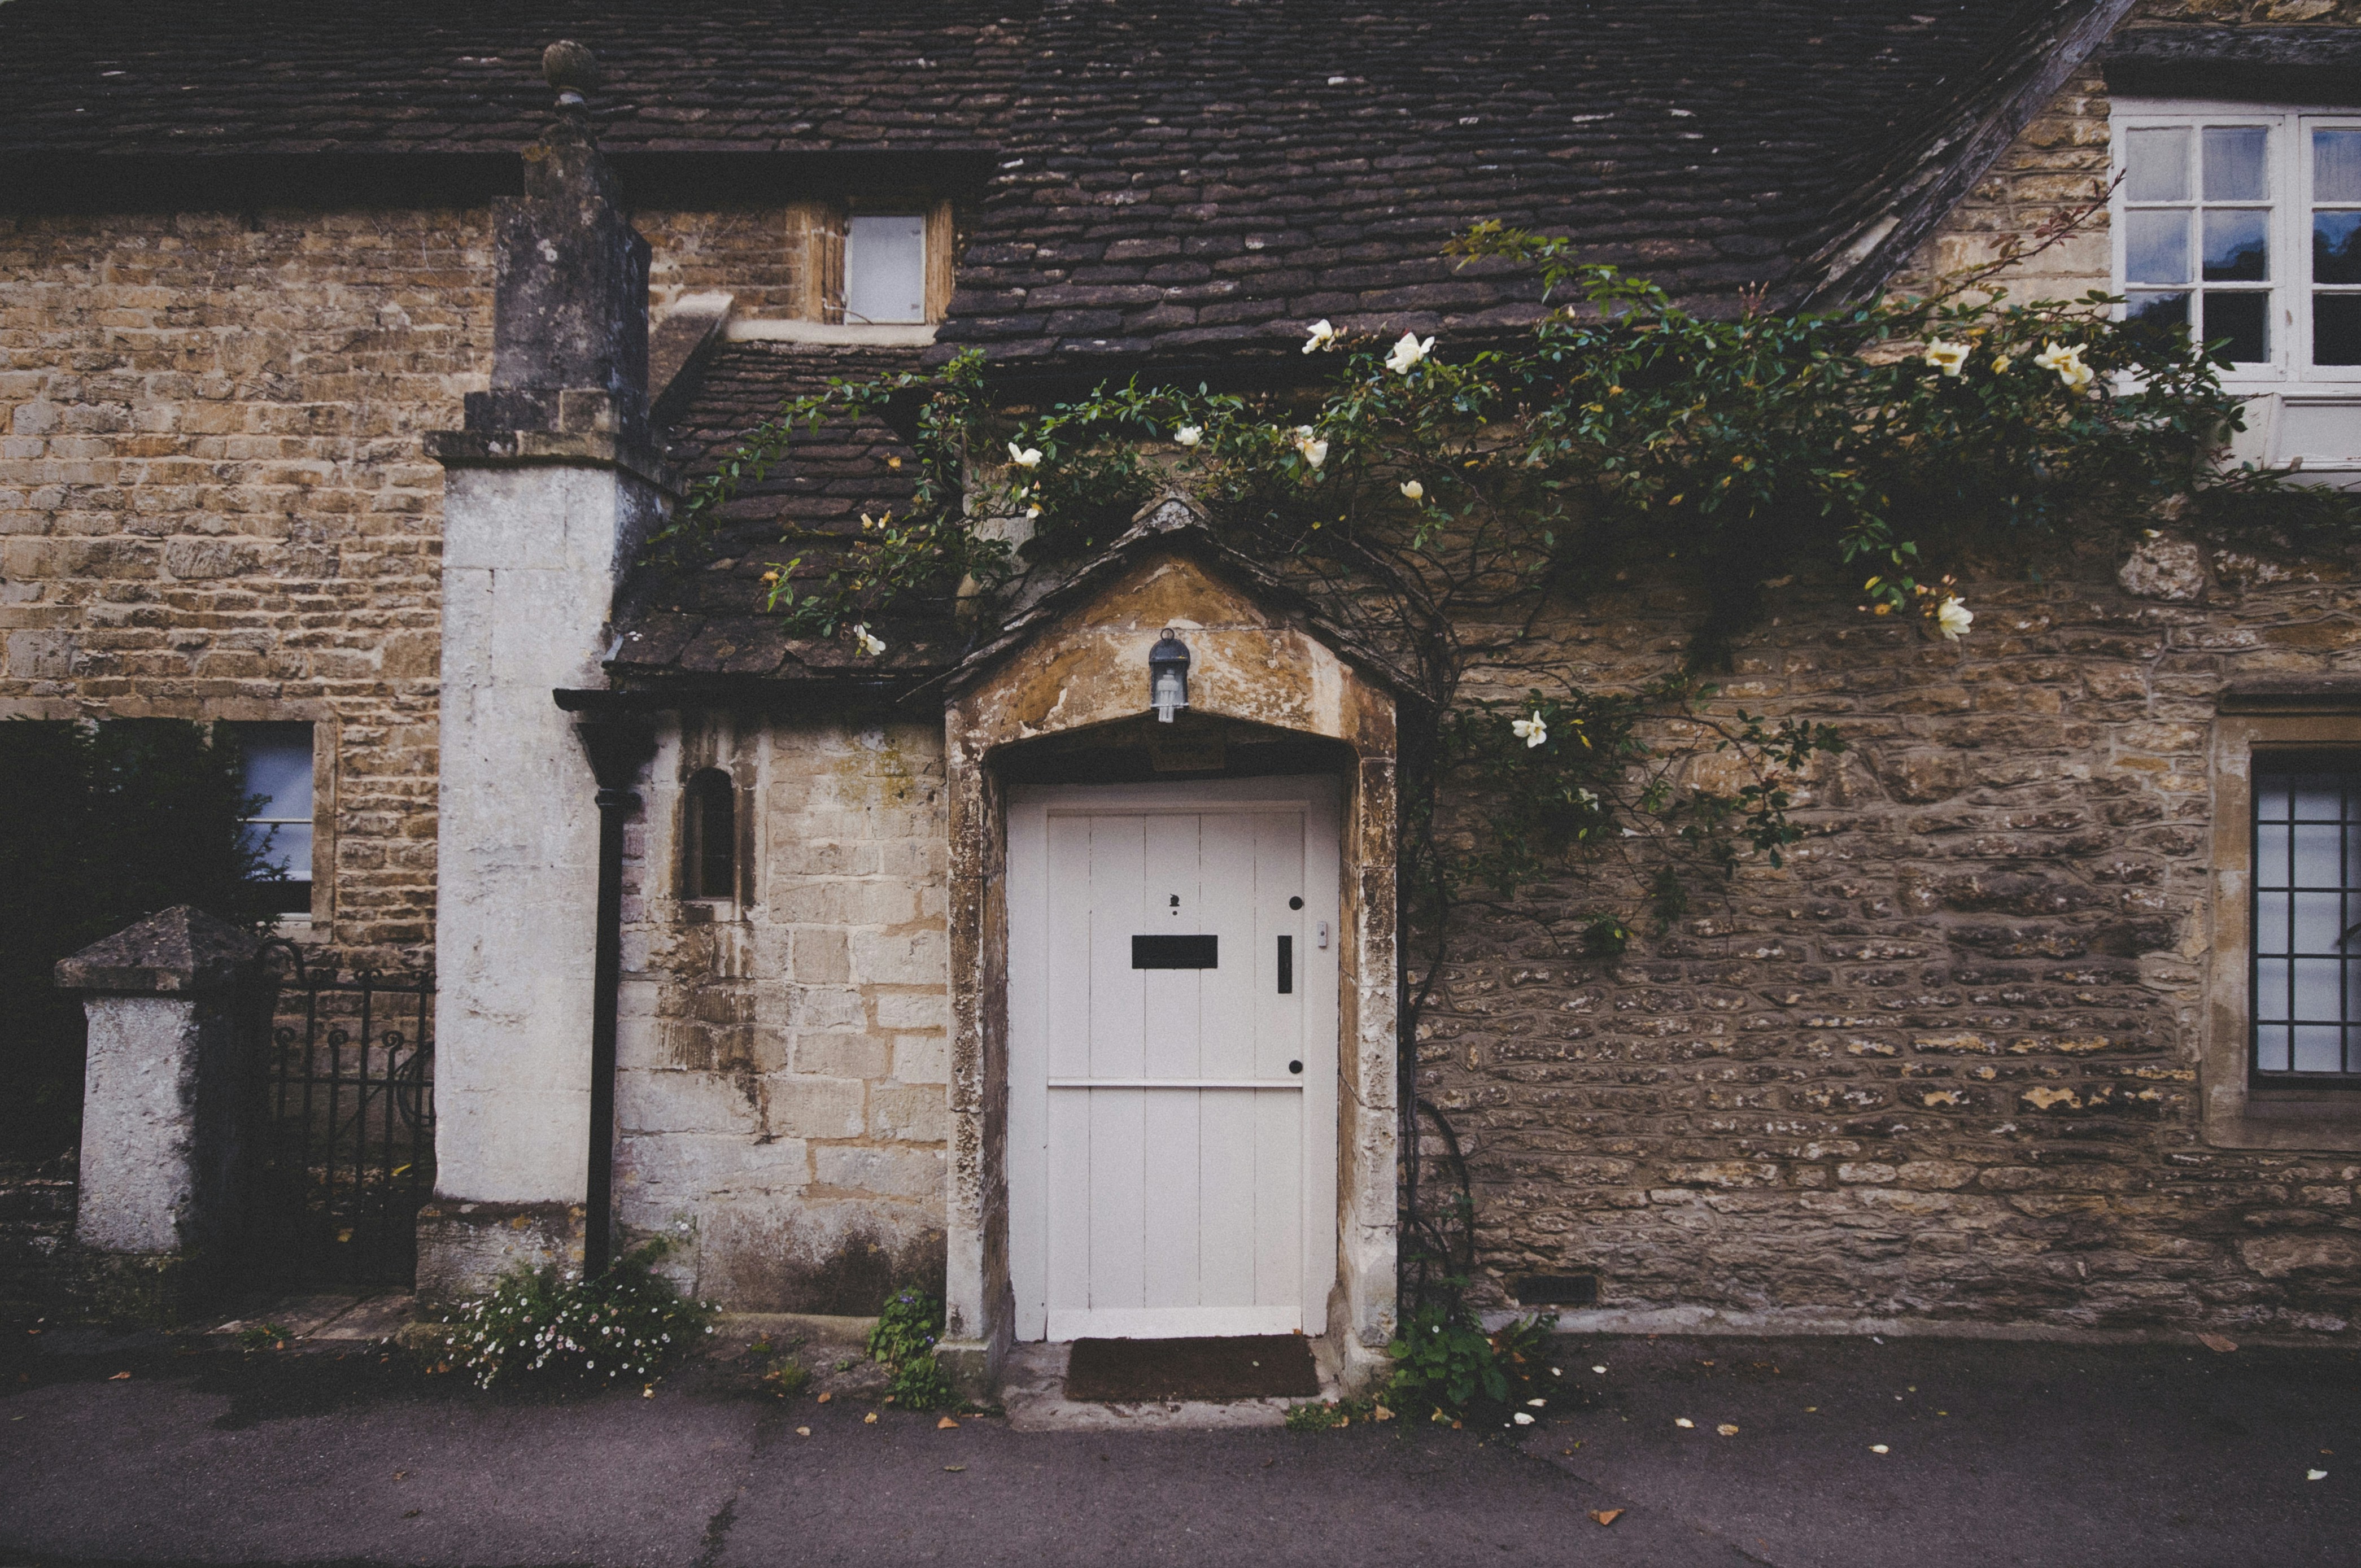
(346, 1128)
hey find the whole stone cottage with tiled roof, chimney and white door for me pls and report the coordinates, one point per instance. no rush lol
(346, 379)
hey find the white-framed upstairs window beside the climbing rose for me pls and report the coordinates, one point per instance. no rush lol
(2244, 226)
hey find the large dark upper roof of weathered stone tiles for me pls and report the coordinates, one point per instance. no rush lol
(1177, 181)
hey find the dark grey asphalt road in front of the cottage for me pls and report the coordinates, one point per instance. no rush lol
(1996, 1453)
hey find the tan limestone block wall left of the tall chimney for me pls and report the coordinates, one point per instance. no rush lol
(214, 497)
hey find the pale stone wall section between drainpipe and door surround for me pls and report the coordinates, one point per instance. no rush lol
(783, 1102)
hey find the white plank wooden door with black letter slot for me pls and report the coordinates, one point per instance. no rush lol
(1172, 1059)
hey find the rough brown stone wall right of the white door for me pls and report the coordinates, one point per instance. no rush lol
(1947, 1066)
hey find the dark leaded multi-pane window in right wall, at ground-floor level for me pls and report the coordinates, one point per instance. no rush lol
(2308, 917)
